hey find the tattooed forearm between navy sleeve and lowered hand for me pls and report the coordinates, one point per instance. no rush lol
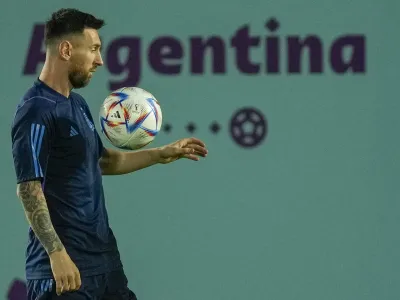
(37, 213)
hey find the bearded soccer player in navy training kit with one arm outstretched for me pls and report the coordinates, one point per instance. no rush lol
(59, 161)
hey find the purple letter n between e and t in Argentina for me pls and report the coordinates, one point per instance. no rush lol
(198, 49)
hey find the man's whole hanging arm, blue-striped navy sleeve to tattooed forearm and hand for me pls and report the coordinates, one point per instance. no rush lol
(32, 137)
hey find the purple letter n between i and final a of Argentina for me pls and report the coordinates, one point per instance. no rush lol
(295, 47)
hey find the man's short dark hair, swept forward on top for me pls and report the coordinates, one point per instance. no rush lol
(69, 21)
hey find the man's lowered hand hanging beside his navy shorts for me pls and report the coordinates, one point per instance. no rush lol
(65, 272)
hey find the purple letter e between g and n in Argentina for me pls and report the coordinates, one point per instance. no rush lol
(162, 49)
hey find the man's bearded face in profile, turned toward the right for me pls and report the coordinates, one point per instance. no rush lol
(85, 58)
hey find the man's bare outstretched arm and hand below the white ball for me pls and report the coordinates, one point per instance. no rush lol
(115, 162)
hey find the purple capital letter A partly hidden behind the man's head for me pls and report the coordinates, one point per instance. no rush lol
(35, 54)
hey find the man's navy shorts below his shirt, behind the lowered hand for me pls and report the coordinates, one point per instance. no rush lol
(111, 286)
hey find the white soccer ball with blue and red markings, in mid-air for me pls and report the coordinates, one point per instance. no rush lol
(130, 118)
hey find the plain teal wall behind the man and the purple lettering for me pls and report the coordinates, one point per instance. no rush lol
(311, 213)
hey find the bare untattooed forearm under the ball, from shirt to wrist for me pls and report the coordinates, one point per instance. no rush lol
(114, 162)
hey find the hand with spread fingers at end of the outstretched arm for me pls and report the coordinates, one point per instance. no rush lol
(190, 148)
